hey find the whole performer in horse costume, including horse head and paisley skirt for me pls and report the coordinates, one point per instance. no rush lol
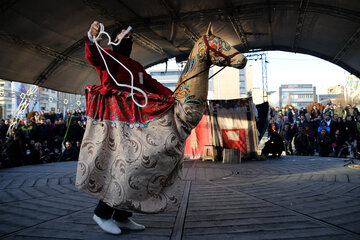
(131, 157)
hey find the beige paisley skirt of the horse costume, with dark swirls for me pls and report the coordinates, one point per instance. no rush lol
(134, 167)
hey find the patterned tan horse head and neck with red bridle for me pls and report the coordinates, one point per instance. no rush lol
(208, 50)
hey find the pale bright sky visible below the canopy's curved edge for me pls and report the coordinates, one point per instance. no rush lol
(291, 68)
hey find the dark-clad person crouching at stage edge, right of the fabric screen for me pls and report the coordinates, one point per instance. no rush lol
(273, 146)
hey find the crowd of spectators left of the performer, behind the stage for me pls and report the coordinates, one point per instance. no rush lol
(41, 138)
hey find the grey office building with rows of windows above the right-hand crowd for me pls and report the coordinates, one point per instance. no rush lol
(297, 95)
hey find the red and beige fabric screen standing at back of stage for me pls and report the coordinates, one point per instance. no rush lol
(227, 124)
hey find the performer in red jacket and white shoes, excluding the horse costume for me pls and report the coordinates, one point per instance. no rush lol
(110, 219)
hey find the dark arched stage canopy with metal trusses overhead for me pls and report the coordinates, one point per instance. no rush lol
(42, 42)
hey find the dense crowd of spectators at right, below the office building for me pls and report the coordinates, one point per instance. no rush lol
(331, 130)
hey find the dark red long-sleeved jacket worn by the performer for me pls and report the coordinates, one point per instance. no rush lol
(121, 74)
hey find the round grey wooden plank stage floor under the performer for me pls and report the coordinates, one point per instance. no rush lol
(291, 197)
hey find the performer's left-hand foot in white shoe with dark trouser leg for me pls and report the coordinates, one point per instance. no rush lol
(102, 217)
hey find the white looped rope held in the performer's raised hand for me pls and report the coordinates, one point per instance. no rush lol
(95, 39)
